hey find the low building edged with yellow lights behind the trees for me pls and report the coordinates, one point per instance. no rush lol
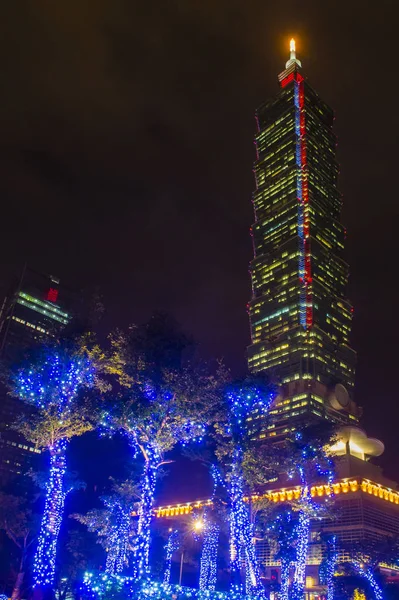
(366, 506)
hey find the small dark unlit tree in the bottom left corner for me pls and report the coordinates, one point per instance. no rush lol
(20, 525)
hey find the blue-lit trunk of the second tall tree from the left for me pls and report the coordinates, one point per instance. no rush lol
(141, 552)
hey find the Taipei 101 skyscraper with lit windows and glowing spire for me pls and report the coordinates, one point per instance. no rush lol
(299, 314)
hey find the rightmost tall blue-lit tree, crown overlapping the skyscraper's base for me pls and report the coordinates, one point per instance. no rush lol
(304, 458)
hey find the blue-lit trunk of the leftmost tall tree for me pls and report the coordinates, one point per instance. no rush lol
(44, 561)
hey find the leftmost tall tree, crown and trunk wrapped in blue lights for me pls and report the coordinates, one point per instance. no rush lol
(51, 381)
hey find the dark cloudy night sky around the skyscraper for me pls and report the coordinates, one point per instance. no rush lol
(126, 159)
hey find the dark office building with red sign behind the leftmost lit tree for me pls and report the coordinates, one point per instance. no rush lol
(30, 313)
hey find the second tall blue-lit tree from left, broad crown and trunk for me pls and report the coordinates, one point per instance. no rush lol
(163, 400)
